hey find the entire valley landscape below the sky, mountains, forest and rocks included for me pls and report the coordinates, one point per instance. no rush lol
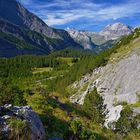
(67, 84)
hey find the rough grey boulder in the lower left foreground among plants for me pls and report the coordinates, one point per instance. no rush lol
(24, 113)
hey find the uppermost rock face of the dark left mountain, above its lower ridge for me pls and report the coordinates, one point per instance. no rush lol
(14, 12)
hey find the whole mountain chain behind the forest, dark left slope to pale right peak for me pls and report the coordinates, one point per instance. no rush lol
(22, 32)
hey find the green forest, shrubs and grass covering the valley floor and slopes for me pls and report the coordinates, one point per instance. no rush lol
(42, 82)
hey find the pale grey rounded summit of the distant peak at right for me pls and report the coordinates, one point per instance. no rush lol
(114, 31)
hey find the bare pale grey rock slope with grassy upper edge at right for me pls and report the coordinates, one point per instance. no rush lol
(117, 82)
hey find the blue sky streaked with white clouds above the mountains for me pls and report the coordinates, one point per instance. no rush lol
(92, 15)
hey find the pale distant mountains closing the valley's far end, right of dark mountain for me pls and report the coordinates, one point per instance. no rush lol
(101, 40)
